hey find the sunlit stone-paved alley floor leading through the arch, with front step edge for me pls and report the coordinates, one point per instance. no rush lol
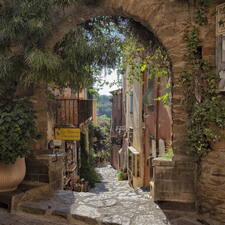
(110, 202)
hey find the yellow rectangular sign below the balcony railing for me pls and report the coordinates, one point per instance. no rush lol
(67, 134)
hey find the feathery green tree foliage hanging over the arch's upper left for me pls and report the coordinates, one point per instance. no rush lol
(77, 59)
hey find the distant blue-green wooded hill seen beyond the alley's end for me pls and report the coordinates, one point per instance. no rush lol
(104, 106)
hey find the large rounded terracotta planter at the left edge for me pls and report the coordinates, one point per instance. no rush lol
(12, 175)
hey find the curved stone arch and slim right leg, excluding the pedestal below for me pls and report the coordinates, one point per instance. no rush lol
(166, 19)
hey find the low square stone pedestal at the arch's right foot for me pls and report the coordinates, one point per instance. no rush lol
(172, 181)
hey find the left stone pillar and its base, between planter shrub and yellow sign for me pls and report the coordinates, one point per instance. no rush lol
(43, 165)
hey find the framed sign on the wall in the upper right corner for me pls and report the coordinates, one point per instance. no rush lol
(220, 19)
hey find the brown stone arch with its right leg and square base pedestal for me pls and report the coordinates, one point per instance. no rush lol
(174, 180)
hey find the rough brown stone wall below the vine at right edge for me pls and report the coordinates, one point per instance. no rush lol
(211, 185)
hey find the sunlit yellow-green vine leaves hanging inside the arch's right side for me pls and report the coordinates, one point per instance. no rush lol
(152, 61)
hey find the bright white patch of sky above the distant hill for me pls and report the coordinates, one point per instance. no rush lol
(109, 78)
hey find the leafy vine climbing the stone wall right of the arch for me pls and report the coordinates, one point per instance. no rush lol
(205, 106)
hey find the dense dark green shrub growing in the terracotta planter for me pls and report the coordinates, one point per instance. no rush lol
(17, 129)
